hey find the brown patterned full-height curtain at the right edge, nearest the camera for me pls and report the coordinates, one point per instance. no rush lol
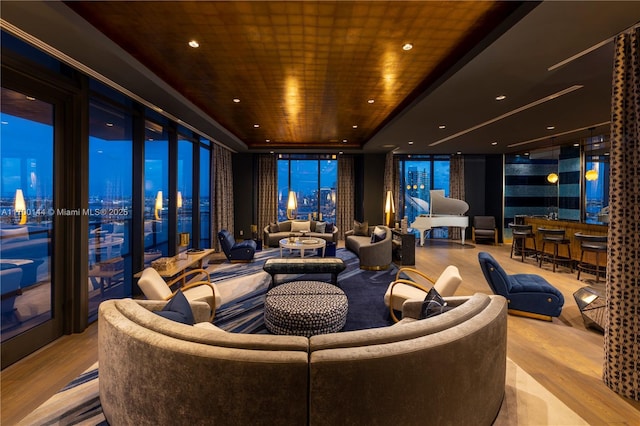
(622, 330)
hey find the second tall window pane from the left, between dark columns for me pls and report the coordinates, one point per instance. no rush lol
(110, 204)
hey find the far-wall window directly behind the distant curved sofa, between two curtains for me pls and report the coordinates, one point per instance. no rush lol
(314, 180)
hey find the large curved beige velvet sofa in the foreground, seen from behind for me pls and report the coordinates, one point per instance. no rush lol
(448, 369)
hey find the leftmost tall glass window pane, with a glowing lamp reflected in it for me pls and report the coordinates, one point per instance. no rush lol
(26, 212)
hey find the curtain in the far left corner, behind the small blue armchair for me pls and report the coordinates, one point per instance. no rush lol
(223, 193)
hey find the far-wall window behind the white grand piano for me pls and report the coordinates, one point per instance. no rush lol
(418, 175)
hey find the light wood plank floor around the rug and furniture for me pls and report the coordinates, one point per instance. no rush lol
(562, 355)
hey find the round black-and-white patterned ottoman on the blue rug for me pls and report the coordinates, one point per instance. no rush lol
(305, 308)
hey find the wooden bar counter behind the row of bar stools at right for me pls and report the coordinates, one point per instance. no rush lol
(570, 227)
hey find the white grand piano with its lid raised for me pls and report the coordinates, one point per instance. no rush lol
(443, 211)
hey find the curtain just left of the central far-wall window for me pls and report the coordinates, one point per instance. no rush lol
(267, 191)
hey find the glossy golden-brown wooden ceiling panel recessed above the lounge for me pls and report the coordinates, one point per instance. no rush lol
(303, 71)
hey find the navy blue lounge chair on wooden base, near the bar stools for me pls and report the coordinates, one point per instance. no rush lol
(527, 295)
